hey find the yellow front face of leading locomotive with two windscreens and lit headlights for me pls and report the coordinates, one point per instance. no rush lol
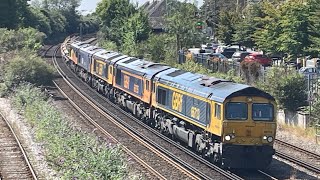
(248, 132)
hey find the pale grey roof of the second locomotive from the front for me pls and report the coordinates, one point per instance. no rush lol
(141, 67)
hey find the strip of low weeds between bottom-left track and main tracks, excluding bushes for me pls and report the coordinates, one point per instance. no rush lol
(73, 154)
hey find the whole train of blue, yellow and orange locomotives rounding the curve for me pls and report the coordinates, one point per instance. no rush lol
(230, 124)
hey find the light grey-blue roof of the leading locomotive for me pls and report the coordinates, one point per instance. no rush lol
(208, 87)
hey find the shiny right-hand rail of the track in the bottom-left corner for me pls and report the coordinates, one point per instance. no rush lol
(25, 157)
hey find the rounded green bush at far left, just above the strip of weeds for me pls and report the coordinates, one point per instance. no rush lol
(27, 67)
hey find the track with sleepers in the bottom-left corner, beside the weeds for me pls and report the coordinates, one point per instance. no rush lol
(14, 163)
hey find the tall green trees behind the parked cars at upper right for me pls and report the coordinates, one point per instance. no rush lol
(276, 27)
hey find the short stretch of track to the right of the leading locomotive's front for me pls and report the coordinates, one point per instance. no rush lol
(299, 156)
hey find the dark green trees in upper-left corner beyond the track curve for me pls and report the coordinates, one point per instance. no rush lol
(55, 18)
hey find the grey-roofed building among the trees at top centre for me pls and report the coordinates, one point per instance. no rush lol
(156, 9)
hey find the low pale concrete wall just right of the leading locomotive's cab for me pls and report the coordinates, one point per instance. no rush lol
(298, 119)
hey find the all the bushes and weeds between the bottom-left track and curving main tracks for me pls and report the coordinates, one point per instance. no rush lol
(72, 153)
